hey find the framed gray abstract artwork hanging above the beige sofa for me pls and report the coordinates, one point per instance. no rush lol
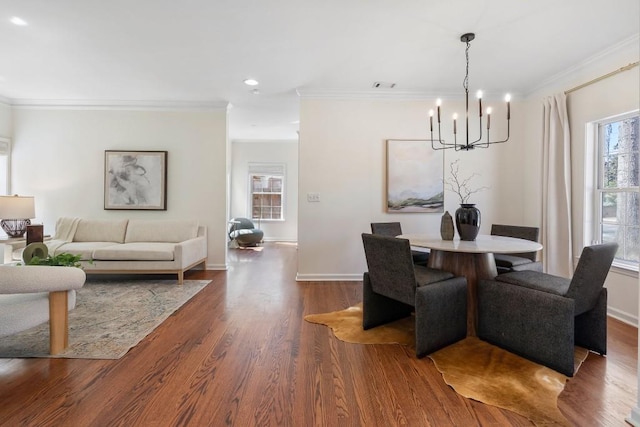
(135, 180)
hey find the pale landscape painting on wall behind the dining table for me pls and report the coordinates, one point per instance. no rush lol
(414, 177)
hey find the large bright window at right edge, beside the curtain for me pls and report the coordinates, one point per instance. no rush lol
(617, 194)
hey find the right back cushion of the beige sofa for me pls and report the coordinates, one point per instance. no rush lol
(174, 231)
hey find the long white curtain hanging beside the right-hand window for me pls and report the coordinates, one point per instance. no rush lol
(557, 255)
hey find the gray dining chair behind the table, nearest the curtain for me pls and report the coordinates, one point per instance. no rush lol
(506, 263)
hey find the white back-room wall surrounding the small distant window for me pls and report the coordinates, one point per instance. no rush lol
(284, 152)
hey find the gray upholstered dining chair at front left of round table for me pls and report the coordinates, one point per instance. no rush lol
(394, 287)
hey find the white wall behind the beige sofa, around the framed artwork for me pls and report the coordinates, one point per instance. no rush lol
(58, 157)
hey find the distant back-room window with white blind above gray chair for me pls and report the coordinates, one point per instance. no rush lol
(267, 192)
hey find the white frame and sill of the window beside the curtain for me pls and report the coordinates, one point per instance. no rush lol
(596, 132)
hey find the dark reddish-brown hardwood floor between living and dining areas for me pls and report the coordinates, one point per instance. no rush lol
(239, 353)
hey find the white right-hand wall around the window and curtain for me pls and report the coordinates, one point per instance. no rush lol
(608, 97)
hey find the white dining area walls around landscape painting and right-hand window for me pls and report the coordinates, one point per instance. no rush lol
(342, 157)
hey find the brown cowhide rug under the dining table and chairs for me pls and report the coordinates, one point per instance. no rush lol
(473, 368)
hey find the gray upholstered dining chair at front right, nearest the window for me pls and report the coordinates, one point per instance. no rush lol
(542, 317)
